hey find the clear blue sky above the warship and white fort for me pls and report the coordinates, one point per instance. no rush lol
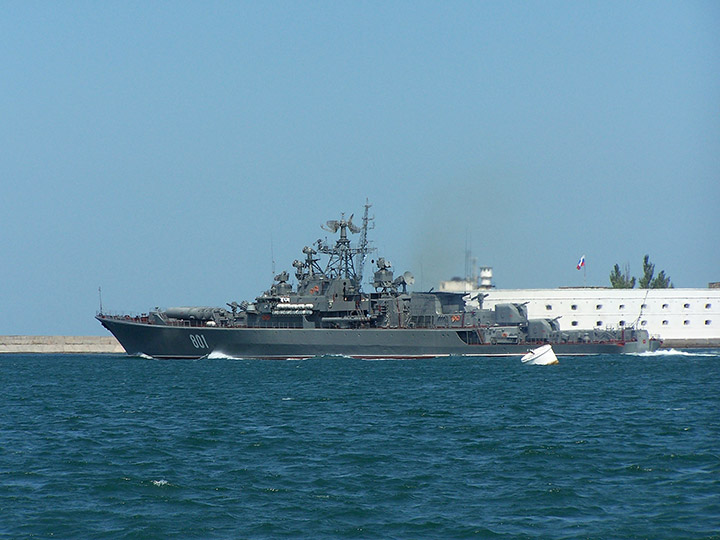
(174, 153)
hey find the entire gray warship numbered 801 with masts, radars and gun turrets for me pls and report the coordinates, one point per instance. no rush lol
(326, 313)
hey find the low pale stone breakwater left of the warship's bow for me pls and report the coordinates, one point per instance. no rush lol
(60, 344)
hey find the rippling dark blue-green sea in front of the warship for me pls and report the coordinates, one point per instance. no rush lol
(125, 447)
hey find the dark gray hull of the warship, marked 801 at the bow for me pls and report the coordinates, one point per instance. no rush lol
(199, 341)
